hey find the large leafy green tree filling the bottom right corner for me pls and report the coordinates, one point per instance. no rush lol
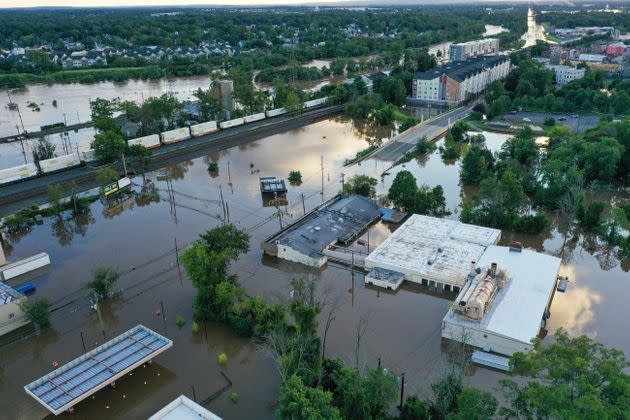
(569, 378)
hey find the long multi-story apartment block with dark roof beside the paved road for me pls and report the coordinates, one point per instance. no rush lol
(453, 83)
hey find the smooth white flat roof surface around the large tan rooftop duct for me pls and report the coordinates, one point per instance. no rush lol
(517, 309)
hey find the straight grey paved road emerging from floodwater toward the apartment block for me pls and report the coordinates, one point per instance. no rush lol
(432, 129)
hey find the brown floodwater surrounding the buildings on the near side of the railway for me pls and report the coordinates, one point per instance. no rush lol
(138, 238)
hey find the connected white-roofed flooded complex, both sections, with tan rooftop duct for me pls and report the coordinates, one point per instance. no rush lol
(504, 293)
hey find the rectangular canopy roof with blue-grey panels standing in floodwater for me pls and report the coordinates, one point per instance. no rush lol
(80, 378)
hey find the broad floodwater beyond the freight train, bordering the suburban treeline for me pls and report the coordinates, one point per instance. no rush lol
(73, 100)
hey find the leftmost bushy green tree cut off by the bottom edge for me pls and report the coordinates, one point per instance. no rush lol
(298, 401)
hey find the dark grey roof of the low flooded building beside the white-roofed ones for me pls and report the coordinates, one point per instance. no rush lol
(341, 219)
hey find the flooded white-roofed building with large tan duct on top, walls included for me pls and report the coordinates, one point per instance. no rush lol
(505, 301)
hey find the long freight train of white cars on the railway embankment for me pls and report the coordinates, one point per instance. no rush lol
(73, 160)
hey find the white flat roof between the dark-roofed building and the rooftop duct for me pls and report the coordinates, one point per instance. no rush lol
(434, 248)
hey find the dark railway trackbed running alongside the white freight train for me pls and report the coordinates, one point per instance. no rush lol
(35, 191)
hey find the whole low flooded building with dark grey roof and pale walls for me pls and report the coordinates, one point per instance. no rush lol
(339, 220)
